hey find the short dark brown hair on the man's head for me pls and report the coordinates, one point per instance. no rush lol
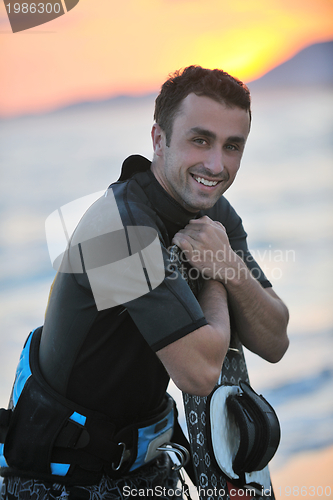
(213, 83)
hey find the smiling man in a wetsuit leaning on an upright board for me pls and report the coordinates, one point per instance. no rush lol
(96, 374)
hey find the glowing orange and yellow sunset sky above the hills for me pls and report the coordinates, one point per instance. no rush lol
(130, 46)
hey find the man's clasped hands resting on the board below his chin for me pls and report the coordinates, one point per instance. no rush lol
(206, 246)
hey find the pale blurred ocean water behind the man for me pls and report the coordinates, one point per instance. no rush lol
(283, 193)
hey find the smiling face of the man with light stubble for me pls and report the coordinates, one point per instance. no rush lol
(204, 154)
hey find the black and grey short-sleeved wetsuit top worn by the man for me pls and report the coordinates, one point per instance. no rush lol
(103, 357)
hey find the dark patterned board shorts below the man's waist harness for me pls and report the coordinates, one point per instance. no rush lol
(157, 481)
